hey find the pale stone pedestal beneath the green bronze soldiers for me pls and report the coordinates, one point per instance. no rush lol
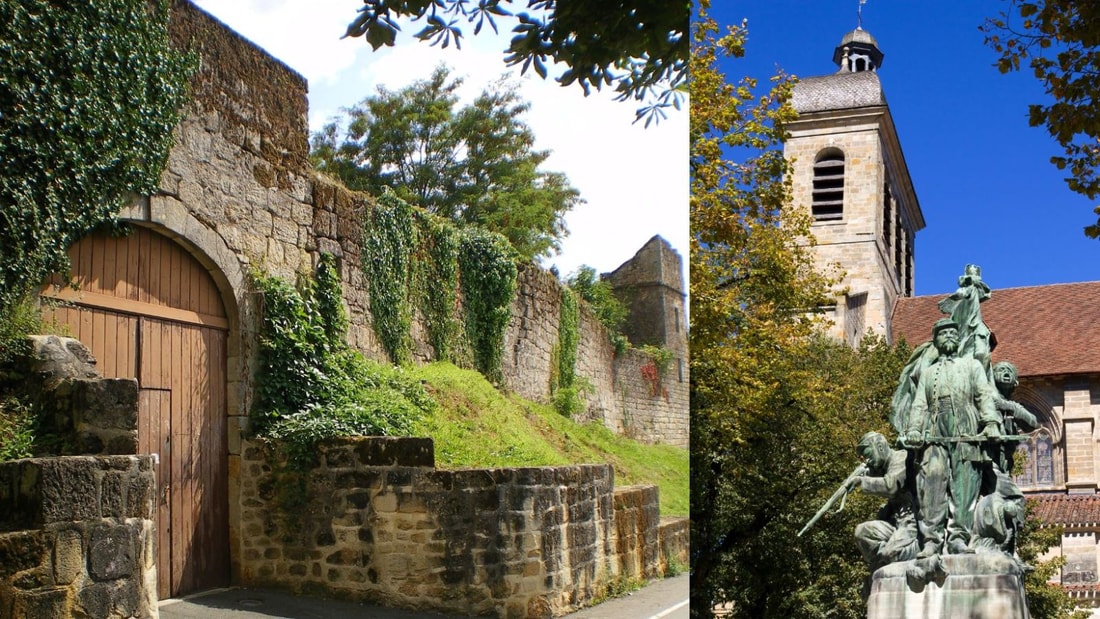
(965, 587)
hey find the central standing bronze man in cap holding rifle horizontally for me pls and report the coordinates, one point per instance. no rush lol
(952, 416)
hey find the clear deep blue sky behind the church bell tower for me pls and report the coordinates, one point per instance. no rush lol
(983, 176)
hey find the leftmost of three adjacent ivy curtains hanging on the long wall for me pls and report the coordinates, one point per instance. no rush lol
(389, 240)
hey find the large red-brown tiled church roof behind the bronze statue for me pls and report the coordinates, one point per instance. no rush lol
(1044, 330)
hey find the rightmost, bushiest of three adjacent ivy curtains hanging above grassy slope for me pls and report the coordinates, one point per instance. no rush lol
(488, 268)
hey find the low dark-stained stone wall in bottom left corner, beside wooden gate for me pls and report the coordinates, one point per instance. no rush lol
(78, 538)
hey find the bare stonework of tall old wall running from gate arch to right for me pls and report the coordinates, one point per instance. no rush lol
(239, 193)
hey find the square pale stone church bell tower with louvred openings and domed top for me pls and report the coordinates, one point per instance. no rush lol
(850, 172)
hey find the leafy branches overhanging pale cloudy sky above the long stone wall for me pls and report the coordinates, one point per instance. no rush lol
(636, 46)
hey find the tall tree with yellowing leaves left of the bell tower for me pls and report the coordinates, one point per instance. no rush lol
(776, 410)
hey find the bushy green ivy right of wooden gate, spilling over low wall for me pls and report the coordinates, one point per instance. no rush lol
(312, 386)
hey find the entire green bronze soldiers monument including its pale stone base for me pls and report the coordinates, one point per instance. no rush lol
(944, 543)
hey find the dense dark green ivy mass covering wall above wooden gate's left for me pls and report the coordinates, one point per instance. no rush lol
(90, 96)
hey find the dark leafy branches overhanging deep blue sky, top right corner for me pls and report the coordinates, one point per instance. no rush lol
(1060, 41)
